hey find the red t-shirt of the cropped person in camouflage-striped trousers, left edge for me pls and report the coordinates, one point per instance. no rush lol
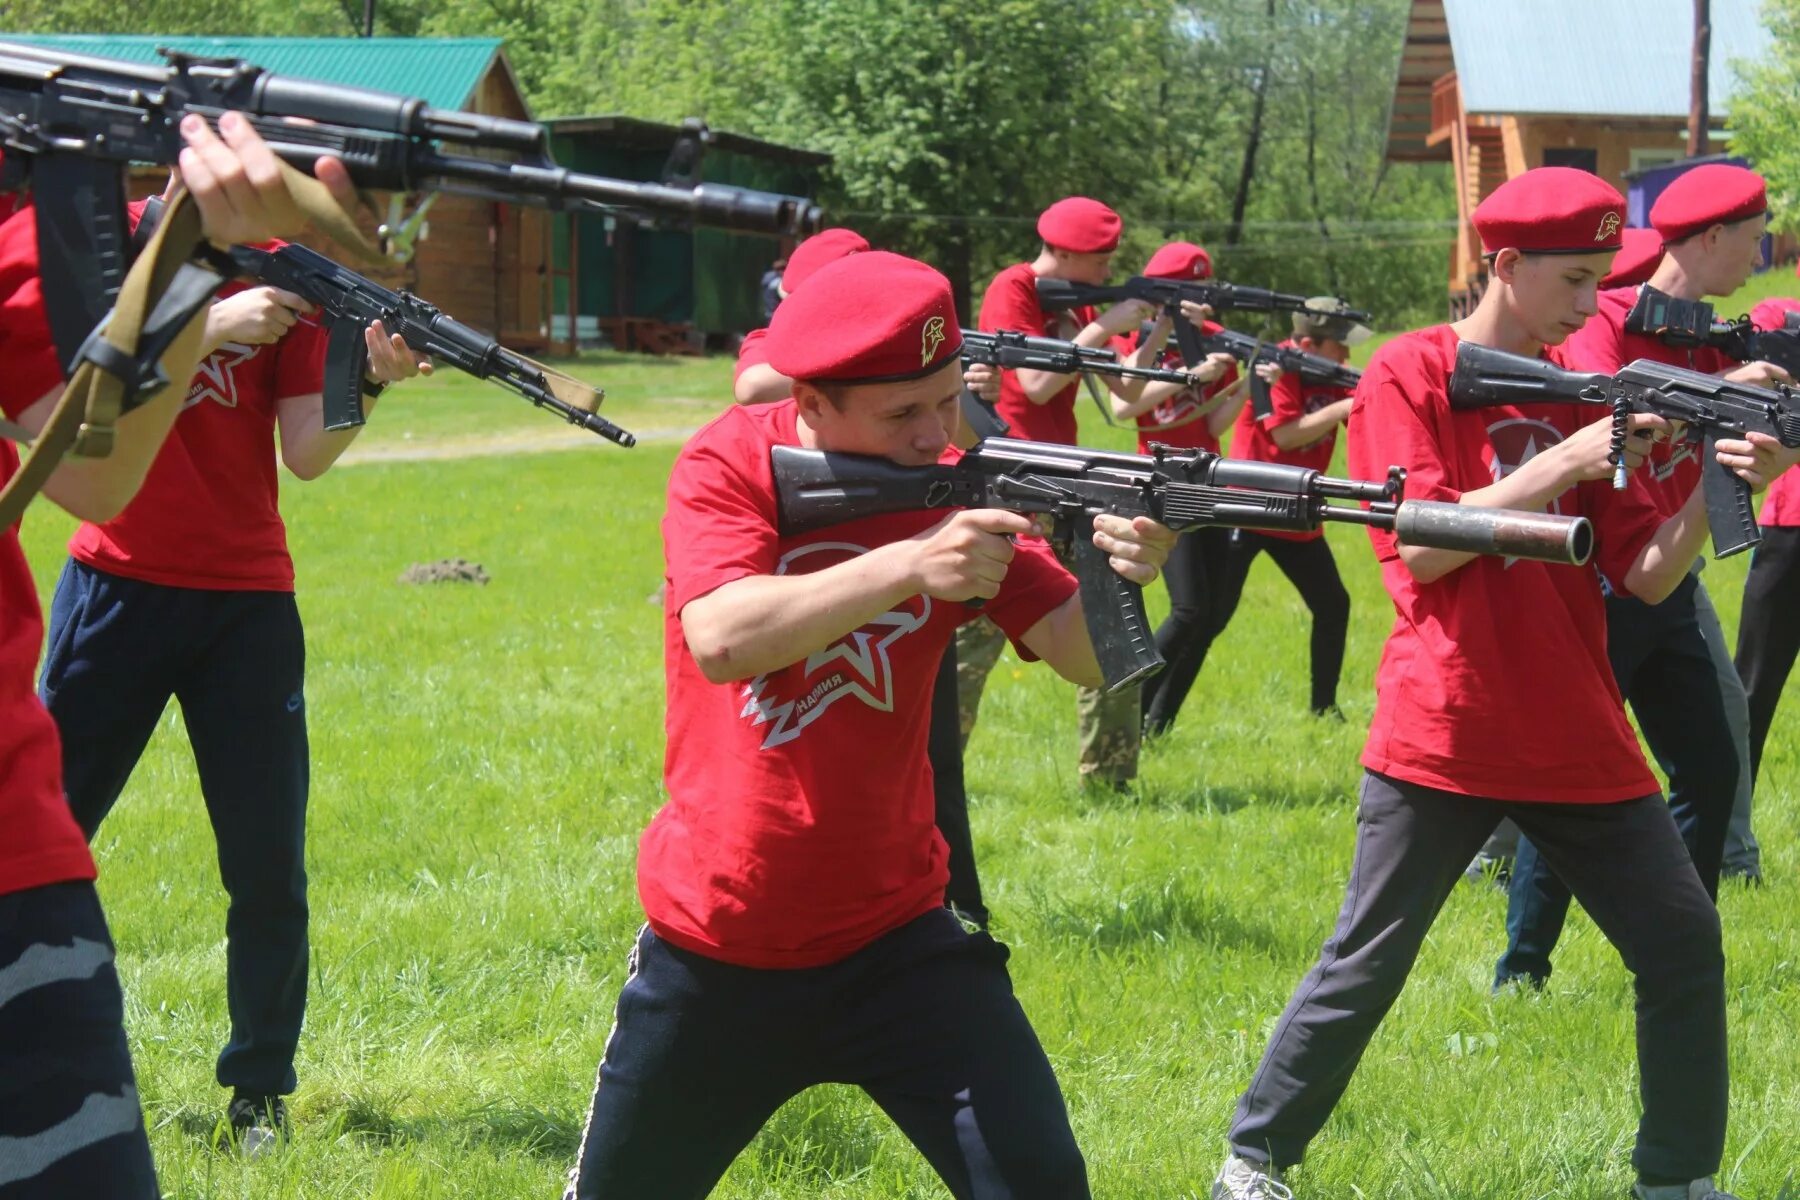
(39, 837)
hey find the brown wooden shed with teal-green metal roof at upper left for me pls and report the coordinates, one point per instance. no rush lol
(481, 262)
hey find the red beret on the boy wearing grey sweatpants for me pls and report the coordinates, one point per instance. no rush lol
(1552, 211)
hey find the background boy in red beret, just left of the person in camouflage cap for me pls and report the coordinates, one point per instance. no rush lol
(1191, 418)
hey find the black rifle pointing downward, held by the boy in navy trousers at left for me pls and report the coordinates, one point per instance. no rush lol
(350, 301)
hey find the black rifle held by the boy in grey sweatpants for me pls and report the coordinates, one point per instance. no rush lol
(1709, 406)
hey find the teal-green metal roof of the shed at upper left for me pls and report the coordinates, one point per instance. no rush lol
(442, 71)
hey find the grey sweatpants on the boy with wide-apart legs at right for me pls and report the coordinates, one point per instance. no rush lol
(1632, 873)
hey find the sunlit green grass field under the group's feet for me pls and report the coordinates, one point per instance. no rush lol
(487, 757)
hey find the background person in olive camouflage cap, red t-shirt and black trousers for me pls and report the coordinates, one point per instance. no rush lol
(1300, 431)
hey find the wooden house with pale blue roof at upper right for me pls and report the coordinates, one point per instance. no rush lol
(1500, 87)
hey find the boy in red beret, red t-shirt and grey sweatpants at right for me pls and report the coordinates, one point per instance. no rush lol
(1495, 699)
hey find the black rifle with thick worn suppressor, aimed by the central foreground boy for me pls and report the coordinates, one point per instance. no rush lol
(1180, 488)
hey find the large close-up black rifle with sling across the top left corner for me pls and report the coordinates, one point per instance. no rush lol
(71, 125)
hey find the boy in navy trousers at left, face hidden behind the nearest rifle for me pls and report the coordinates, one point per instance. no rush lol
(190, 593)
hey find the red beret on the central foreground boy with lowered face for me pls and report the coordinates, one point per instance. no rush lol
(870, 318)
